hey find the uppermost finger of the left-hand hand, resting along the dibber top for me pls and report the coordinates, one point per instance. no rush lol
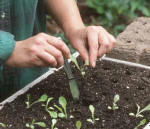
(59, 44)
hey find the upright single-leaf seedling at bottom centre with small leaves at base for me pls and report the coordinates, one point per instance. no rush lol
(92, 119)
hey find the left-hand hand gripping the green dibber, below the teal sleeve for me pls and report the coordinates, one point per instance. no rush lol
(40, 50)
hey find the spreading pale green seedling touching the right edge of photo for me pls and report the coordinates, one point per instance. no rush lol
(138, 114)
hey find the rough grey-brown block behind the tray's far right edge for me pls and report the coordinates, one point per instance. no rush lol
(134, 43)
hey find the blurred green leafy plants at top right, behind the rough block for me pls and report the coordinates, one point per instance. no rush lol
(117, 13)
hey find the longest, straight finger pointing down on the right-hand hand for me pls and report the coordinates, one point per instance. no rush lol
(93, 47)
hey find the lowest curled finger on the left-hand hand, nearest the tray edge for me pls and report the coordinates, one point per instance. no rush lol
(48, 59)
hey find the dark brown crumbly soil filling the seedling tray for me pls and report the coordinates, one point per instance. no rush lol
(98, 88)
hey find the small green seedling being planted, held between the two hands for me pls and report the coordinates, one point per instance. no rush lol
(82, 68)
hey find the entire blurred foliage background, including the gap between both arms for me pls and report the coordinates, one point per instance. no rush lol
(114, 15)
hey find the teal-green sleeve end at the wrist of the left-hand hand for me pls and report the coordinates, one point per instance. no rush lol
(7, 44)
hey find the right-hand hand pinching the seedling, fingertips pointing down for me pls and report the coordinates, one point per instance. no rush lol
(91, 42)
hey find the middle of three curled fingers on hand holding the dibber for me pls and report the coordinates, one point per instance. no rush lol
(57, 54)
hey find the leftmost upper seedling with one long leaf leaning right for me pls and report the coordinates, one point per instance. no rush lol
(43, 98)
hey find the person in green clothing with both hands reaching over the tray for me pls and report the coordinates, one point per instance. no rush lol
(26, 51)
